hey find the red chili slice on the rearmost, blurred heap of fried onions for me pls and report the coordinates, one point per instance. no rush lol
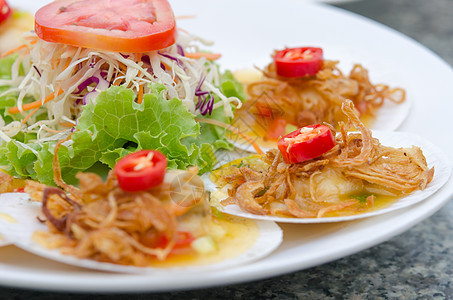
(298, 62)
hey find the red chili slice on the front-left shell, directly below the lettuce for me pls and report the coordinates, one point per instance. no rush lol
(141, 170)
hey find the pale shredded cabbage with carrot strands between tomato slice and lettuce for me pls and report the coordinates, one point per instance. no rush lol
(49, 67)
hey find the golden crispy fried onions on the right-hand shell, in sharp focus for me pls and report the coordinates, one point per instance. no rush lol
(348, 178)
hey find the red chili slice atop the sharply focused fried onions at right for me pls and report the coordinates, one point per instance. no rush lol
(306, 143)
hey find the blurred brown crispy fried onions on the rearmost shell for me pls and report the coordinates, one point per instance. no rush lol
(316, 99)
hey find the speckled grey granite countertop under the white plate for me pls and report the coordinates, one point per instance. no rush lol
(416, 264)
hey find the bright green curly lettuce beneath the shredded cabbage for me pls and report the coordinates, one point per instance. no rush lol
(116, 125)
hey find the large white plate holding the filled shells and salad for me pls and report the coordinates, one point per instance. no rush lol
(246, 32)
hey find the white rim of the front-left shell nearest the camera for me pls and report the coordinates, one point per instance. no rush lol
(26, 215)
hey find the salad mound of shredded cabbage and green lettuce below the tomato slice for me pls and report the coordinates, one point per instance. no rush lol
(108, 104)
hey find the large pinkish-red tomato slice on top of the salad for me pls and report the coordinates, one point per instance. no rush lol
(113, 25)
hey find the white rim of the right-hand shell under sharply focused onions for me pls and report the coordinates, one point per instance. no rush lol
(434, 156)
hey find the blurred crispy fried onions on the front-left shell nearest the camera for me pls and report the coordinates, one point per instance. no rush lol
(100, 221)
